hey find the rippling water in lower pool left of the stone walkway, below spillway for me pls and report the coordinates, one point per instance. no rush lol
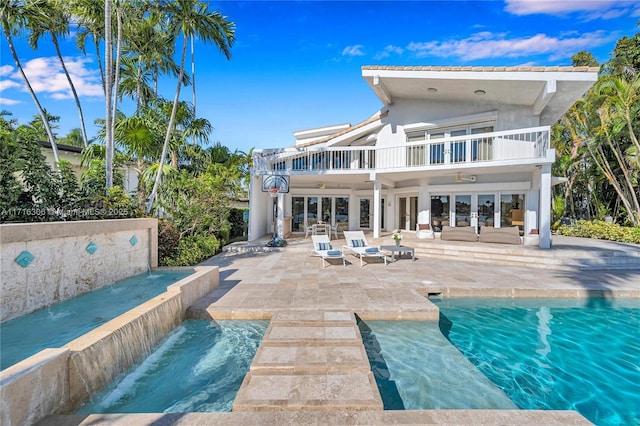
(199, 367)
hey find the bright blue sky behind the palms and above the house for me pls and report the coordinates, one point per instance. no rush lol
(296, 64)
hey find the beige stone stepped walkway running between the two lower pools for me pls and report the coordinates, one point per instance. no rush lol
(310, 360)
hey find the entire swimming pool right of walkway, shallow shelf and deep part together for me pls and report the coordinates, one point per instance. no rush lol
(548, 354)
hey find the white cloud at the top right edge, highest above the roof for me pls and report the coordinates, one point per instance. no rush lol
(593, 9)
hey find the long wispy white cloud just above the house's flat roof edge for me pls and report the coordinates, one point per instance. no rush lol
(493, 45)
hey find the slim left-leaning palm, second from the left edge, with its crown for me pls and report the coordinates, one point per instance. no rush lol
(54, 20)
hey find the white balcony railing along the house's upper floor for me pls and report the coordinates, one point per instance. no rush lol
(509, 145)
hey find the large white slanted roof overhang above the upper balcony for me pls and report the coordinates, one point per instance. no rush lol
(548, 91)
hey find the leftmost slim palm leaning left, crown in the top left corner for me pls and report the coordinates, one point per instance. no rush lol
(15, 17)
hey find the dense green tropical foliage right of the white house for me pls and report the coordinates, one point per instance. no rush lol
(597, 145)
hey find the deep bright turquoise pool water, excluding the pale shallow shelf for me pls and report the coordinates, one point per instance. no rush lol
(552, 354)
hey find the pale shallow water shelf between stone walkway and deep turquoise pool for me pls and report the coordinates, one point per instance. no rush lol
(417, 368)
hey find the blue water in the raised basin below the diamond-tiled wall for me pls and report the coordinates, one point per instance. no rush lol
(62, 322)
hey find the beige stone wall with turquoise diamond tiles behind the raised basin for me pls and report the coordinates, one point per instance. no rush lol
(45, 263)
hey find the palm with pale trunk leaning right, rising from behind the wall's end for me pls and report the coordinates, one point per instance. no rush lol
(191, 17)
